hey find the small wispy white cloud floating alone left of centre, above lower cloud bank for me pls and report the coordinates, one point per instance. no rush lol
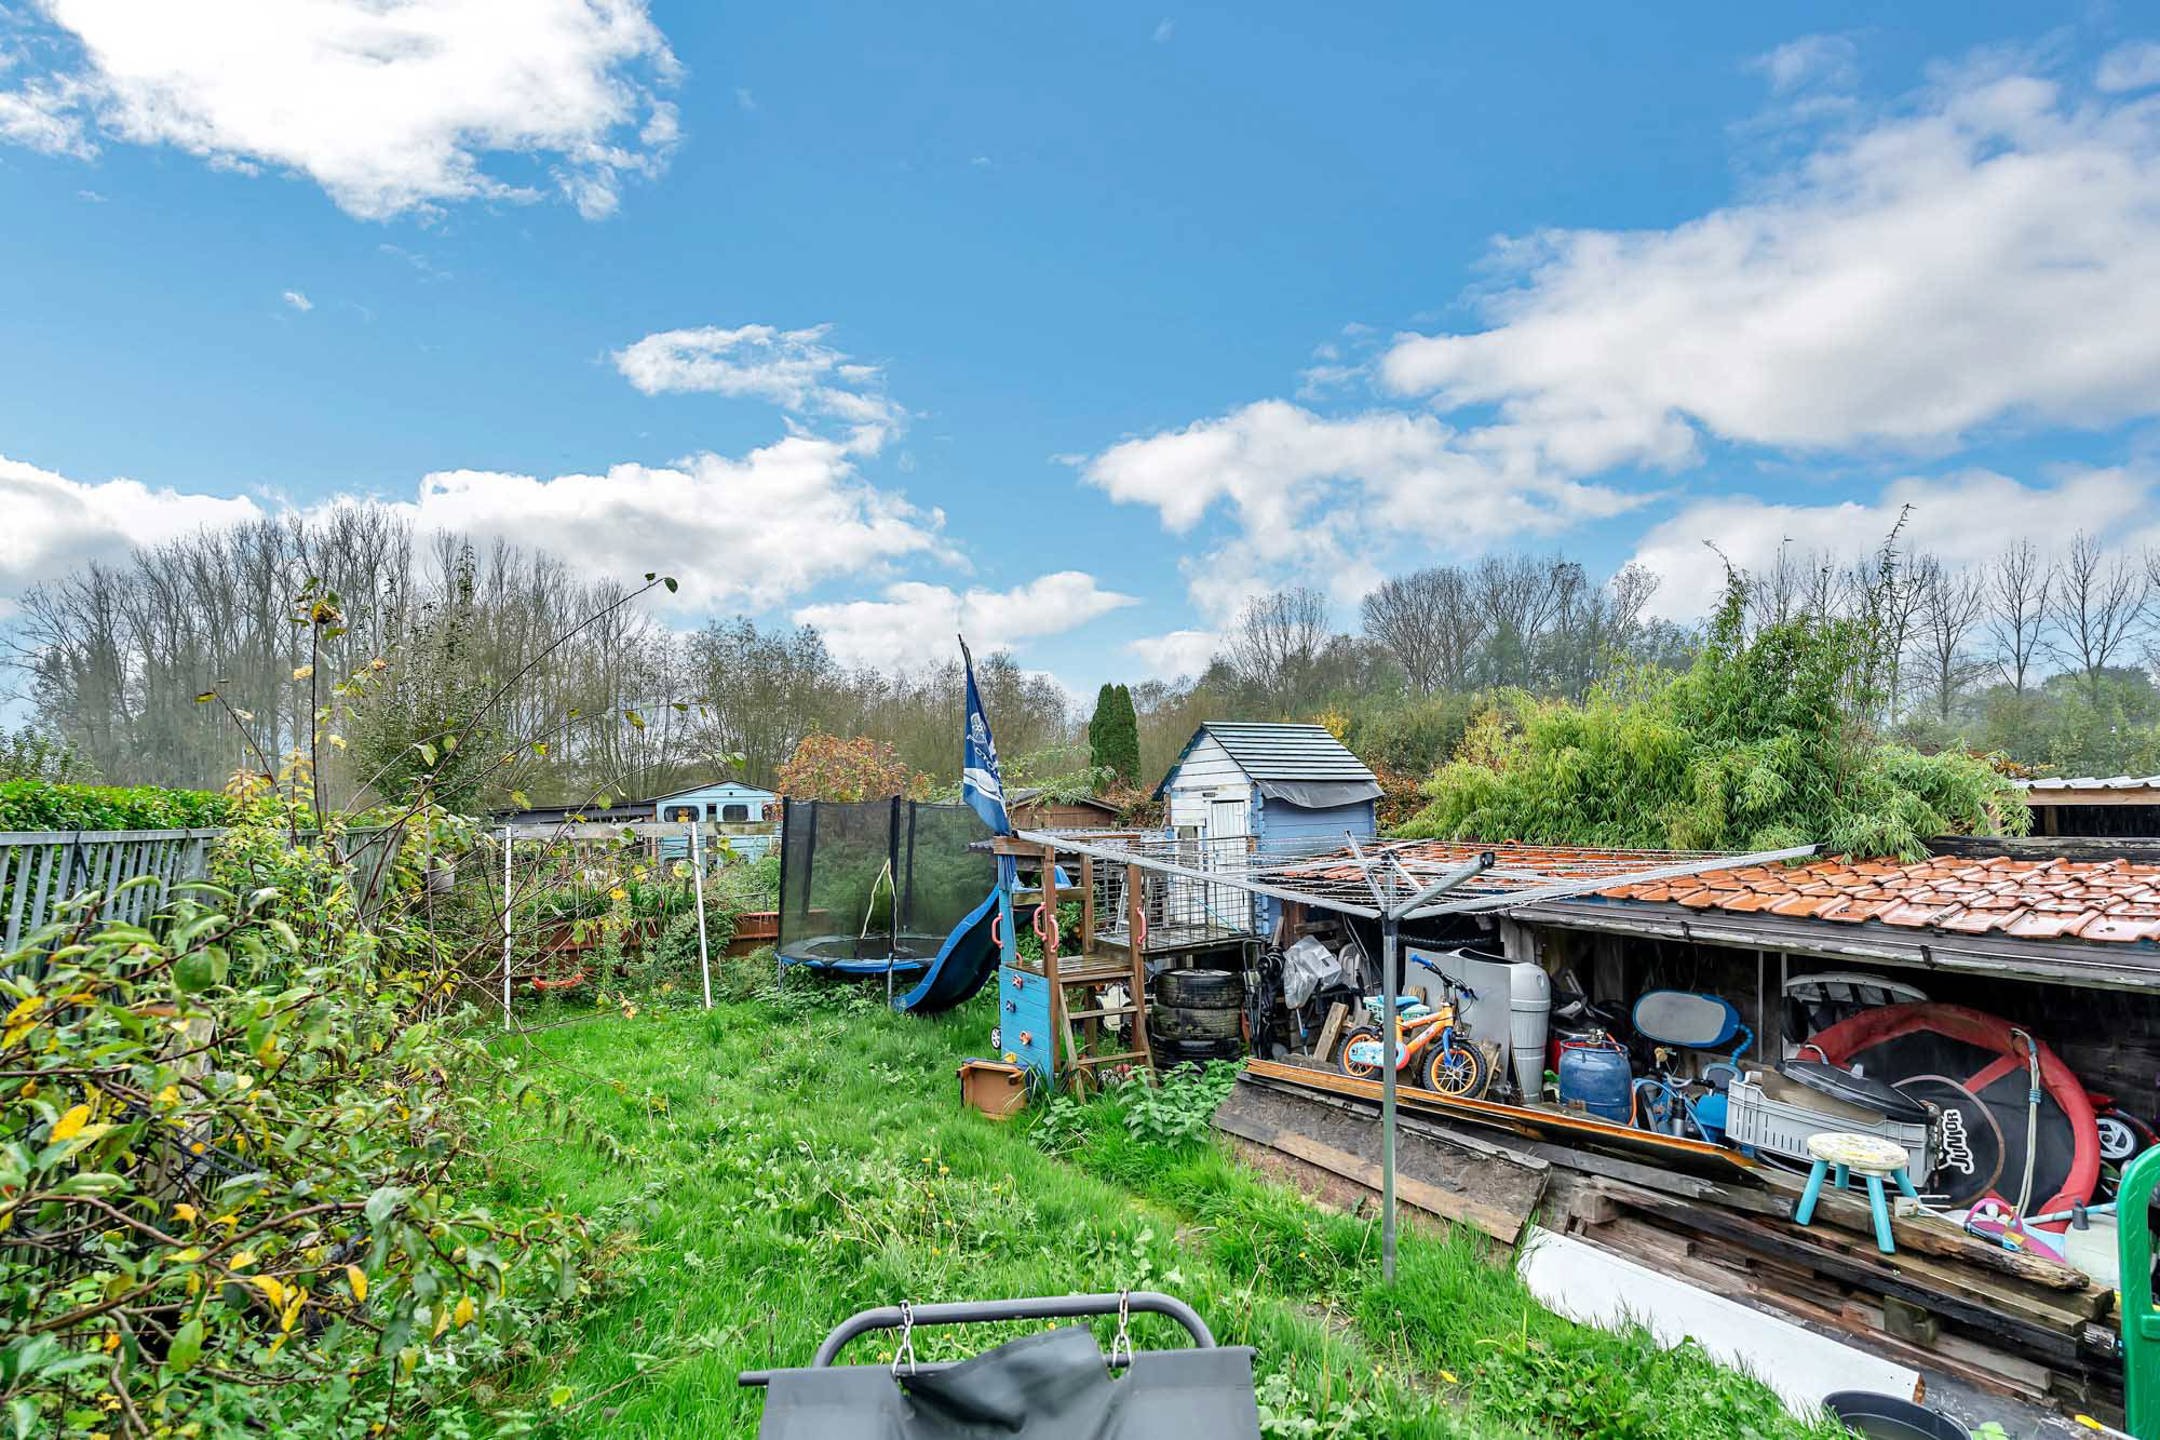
(794, 370)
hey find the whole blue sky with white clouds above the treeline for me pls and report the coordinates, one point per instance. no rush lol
(1077, 325)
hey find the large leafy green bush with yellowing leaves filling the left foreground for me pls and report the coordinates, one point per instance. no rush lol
(234, 1163)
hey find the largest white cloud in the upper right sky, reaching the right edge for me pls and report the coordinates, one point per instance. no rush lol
(1986, 256)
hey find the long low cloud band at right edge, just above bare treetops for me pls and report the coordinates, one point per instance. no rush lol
(1960, 519)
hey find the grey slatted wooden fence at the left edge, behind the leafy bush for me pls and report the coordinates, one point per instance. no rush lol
(42, 869)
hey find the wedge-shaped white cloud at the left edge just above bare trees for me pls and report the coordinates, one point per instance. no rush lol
(57, 526)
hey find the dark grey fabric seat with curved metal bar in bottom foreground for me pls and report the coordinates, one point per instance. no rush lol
(1055, 1385)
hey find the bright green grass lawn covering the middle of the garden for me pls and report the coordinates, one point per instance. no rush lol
(796, 1156)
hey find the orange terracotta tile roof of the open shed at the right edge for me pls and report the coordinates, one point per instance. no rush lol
(2114, 901)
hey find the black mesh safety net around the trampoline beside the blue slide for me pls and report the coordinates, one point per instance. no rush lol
(880, 880)
